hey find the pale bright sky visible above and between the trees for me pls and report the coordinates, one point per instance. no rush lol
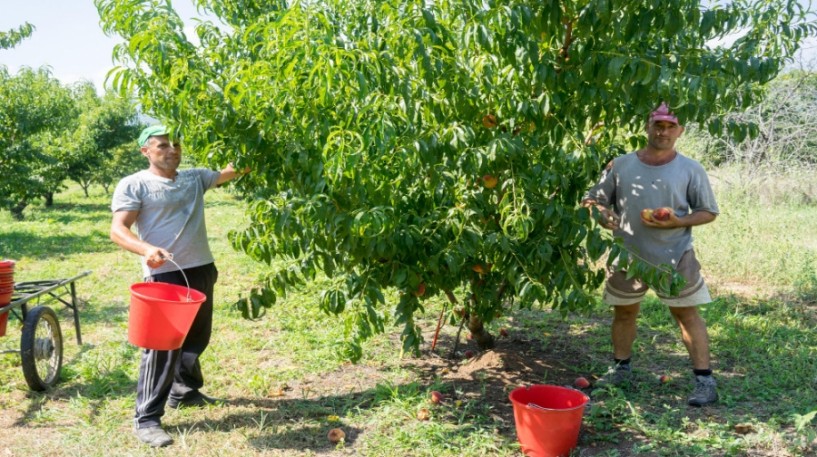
(69, 39)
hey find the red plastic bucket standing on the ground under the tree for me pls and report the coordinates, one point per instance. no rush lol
(548, 419)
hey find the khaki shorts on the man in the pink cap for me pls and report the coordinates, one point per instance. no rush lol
(619, 290)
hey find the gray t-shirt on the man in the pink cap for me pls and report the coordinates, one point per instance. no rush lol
(630, 186)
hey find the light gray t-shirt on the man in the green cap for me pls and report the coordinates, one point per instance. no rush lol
(171, 214)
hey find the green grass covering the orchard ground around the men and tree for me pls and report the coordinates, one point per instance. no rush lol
(287, 383)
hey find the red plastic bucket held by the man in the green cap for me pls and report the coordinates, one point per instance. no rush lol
(161, 314)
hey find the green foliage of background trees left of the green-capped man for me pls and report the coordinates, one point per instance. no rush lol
(50, 133)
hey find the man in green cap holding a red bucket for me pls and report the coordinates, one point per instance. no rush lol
(166, 207)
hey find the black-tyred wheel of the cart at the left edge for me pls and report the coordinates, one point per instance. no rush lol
(41, 348)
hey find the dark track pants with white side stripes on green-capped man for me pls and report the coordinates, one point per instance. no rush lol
(177, 373)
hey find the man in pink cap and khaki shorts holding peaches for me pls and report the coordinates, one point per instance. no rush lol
(657, 176)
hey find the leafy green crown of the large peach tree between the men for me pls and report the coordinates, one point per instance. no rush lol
(437, 147)
